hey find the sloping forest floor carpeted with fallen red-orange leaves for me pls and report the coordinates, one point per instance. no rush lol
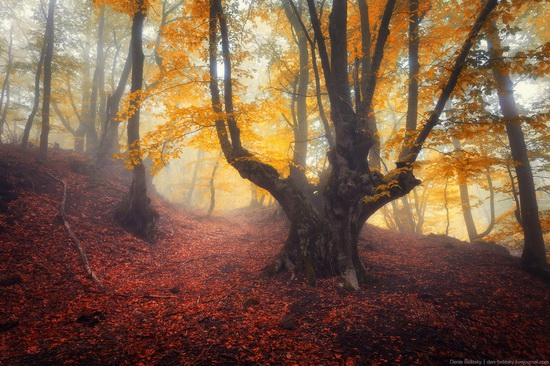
(197, 296)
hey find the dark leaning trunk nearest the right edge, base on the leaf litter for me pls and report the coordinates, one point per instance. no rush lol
(534, 253)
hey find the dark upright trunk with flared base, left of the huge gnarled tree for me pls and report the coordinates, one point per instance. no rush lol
(135, 211)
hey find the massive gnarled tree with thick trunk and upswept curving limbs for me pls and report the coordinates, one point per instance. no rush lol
(325, 243)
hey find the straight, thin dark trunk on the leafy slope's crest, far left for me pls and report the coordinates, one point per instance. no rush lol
(49, 41)
